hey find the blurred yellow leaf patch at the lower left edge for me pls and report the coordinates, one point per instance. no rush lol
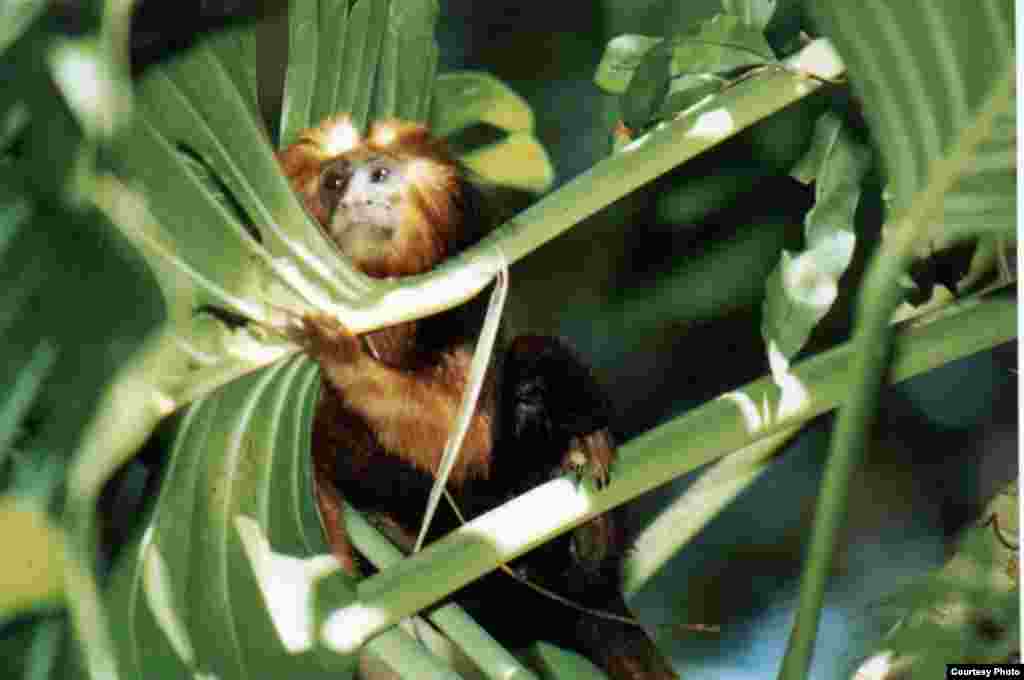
(32, 575)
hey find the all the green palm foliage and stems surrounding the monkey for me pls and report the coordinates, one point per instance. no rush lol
(229, 575)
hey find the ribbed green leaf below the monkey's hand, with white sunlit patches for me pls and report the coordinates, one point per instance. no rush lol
(225, 577)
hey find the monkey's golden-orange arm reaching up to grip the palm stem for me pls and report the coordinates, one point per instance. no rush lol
(410, 412)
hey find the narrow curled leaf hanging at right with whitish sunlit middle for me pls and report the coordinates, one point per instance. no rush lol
(802, 289)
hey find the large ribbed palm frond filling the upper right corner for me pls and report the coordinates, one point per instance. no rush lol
(924, 82)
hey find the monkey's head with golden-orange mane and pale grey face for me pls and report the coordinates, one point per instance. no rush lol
(390, 200)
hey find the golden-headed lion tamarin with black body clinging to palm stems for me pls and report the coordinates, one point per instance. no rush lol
(395, 203)
